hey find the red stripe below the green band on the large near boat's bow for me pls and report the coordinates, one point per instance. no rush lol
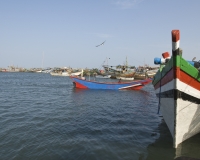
(182, 76)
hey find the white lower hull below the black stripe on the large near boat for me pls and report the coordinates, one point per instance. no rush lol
(186, 116)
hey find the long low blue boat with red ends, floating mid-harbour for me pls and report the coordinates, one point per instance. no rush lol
(135, 85)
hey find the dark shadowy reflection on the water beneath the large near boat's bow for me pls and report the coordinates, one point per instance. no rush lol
(163, 149)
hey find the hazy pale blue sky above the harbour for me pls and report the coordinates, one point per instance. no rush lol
(65, 33)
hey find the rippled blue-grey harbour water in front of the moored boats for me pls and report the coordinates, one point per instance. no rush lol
(43, 117)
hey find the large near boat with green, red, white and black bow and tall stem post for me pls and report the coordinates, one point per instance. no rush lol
(177, 86)
